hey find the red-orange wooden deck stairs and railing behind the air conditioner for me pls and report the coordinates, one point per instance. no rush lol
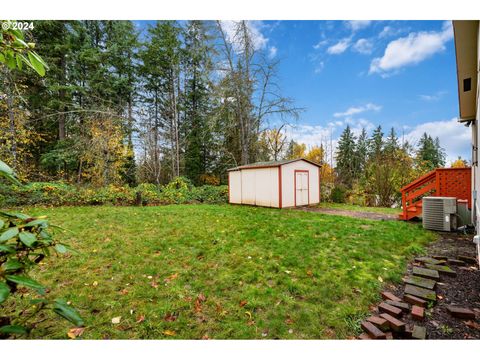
(454, 182)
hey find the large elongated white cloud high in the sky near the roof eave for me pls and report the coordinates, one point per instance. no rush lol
(412, 49)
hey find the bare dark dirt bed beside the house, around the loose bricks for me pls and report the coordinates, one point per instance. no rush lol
(462, 290)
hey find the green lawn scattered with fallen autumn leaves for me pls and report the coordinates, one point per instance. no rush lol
(302, 275)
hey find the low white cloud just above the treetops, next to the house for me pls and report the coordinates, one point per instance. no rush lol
(454, 137)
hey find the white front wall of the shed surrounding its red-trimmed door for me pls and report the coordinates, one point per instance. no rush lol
(288, 182)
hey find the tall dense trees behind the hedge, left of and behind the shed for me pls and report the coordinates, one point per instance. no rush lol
(123, 104)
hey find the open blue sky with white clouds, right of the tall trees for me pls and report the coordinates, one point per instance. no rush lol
(397, 74)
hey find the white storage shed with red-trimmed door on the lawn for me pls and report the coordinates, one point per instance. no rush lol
(277, 184)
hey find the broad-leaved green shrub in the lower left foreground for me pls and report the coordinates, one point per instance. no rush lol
(24, 242)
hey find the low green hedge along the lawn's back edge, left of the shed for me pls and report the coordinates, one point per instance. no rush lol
(179, 191)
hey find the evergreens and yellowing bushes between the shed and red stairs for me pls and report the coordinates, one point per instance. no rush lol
(372, 169)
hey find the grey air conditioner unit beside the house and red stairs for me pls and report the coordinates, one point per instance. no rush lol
(439, 213)
